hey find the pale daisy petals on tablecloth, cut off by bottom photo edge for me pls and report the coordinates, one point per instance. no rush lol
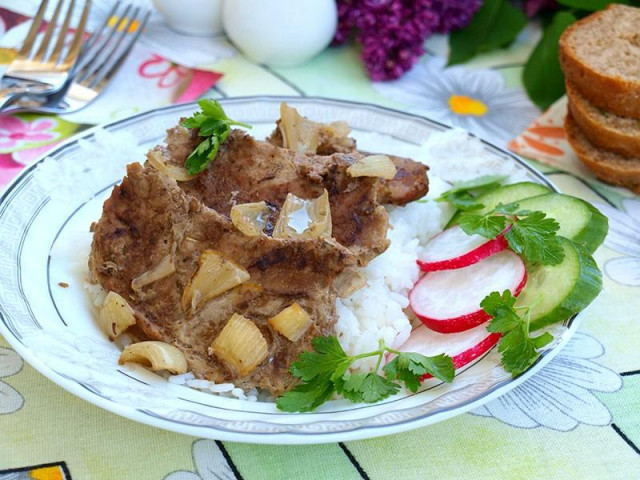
(209, 462)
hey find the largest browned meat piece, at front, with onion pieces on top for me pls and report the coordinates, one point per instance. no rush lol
(149, 217)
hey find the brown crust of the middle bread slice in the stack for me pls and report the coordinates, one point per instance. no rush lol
(601, 134)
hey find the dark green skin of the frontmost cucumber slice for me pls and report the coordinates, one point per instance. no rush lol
(586, 289)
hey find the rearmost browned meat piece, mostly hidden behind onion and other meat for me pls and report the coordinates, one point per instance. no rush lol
(409, 184)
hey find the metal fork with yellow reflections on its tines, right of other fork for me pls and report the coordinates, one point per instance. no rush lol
(106, 52)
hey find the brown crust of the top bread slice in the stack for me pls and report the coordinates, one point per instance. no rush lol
(614, 94)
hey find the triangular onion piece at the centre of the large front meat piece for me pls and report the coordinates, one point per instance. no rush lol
(214, 276)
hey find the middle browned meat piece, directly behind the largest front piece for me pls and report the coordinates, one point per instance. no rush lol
(246, 170)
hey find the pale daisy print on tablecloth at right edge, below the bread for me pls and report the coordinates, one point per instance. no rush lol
(623, 237)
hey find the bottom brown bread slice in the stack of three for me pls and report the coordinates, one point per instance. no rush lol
(608, 166)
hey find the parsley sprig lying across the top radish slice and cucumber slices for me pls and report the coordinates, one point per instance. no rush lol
(531, 233)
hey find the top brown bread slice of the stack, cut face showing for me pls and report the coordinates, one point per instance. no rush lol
(600, 56)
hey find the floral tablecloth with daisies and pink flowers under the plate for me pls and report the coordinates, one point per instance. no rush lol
(578, 418)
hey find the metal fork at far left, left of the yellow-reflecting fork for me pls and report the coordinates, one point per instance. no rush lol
(38, 69)
